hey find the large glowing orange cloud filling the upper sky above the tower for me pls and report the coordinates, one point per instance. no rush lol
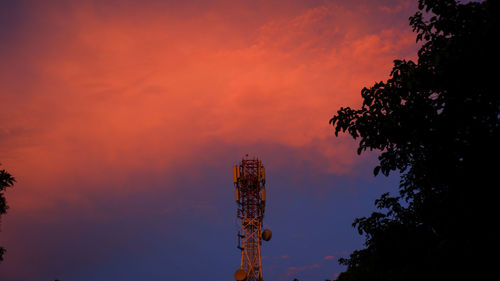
(105, 96)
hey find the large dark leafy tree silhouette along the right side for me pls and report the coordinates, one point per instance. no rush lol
(437, 123)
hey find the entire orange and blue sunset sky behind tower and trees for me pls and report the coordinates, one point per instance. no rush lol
(121, 121)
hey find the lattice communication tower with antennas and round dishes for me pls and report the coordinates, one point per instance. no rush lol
(250, 191)
